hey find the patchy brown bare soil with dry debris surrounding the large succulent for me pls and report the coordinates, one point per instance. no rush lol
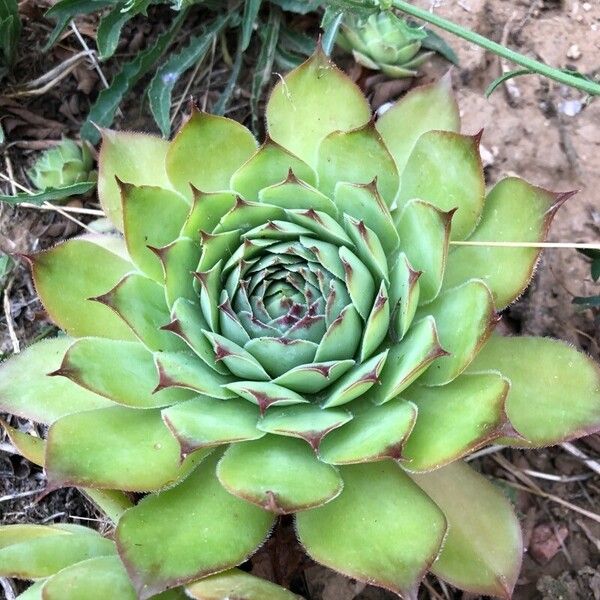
(535, 128)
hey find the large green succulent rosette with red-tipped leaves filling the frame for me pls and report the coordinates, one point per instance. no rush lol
(286, 328)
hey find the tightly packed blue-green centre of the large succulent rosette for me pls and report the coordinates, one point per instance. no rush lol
(296, 304)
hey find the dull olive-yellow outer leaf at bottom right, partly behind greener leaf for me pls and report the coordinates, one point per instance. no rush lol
(482, 553)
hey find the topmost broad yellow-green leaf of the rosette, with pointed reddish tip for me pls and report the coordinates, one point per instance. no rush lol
(295, 101)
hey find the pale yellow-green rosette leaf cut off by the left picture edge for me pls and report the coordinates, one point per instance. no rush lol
(39, 397)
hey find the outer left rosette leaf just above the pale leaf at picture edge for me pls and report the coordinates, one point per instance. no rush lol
(68, 275)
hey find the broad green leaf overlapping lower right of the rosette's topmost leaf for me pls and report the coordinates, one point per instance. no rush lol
(357, 156)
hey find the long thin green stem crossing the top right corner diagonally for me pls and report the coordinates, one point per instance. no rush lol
(529, 63)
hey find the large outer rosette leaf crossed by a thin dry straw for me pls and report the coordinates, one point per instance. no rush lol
(514, 211)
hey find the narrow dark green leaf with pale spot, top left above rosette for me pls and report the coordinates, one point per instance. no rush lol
(166, 76)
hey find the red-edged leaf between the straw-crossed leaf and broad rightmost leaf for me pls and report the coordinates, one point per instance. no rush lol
(465, 317)
